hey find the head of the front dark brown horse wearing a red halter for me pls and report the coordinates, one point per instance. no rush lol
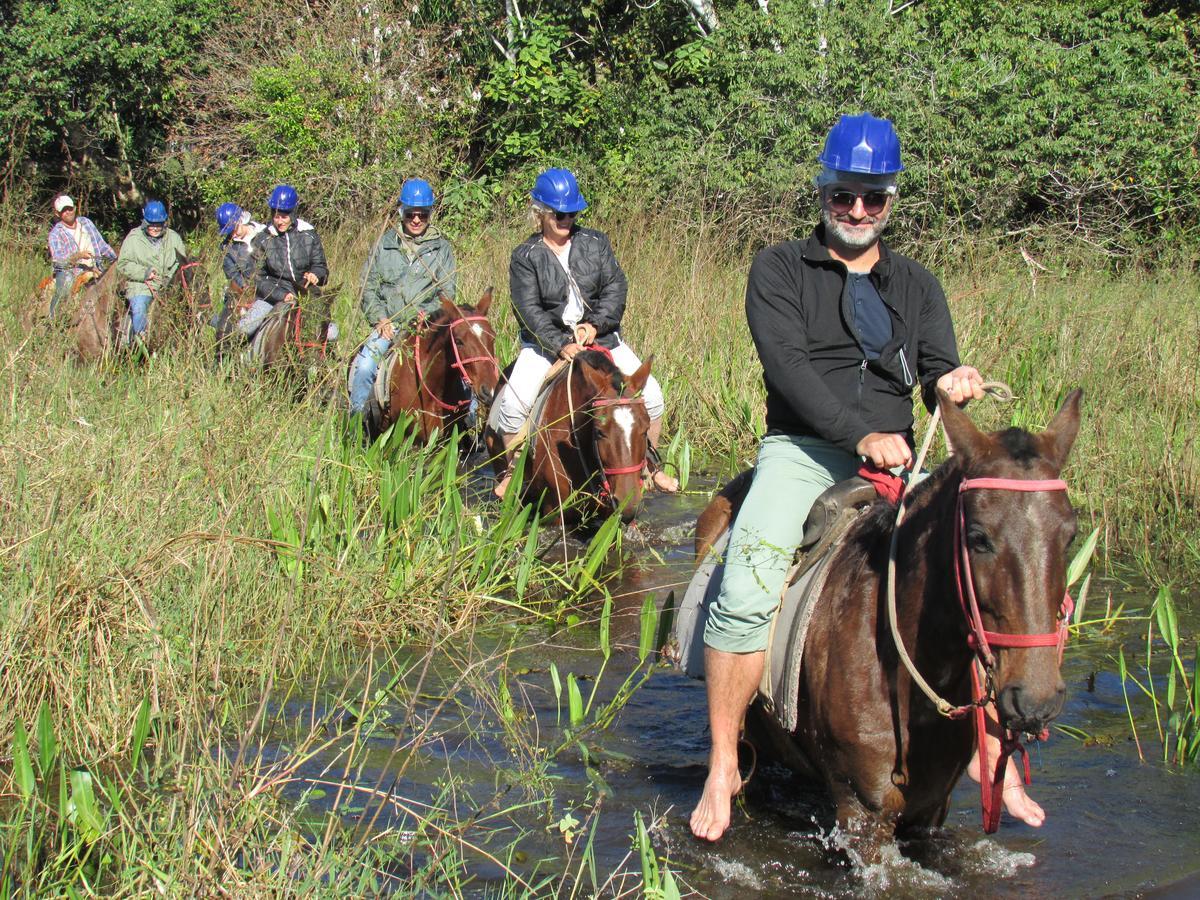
(1016, 525)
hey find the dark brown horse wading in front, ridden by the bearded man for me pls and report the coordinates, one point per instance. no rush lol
(995, 520)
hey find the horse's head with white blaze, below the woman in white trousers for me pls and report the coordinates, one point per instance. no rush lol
(620, 427)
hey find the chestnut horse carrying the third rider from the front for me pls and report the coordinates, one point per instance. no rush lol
(443, 363)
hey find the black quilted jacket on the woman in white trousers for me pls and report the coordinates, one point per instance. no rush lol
(539, 290)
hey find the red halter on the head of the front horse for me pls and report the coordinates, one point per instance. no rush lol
(982, 641)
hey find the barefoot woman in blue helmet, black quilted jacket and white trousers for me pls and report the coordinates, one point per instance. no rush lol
(569, 293)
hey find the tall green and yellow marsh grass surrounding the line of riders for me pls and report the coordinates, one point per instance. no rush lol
(190, 557)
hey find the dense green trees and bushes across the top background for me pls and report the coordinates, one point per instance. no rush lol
(1075, 115)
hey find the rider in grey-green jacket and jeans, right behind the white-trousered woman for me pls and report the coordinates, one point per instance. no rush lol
(407, 274)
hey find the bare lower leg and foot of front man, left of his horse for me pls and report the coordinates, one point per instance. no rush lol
(733, 681)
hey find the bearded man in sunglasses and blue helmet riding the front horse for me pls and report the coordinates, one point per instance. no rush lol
(845, 329)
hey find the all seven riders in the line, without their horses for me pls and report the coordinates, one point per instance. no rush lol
(845, 329)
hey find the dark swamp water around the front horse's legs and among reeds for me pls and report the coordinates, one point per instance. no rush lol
(495, 722)
